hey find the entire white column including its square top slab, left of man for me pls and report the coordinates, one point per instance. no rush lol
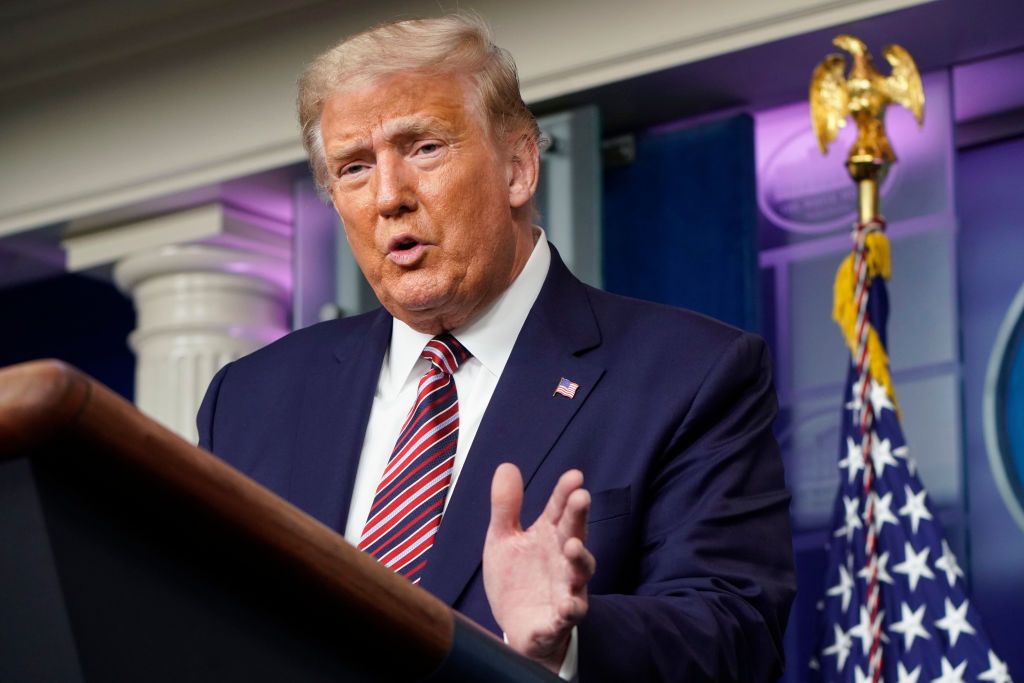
(210, 284)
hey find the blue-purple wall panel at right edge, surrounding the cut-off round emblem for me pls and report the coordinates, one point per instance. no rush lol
(992, 243)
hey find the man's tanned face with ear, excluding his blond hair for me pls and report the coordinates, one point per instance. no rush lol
(434, 209)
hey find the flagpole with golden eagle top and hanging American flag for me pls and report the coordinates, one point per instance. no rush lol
(912, 616)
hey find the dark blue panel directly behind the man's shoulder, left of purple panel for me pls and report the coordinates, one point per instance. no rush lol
(680, 223)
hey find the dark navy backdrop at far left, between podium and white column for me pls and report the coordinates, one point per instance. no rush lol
(78, 320)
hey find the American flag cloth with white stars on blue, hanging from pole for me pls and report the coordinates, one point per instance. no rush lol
(921, 625)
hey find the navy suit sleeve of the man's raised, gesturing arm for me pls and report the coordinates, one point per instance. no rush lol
(716, 577)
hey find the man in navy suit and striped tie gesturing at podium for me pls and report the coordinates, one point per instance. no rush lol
(490, 366)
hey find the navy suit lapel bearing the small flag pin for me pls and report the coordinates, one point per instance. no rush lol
(522, 423)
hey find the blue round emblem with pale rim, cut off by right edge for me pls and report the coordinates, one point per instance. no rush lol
(1003, 410)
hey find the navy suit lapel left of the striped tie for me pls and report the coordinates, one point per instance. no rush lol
(335, 411)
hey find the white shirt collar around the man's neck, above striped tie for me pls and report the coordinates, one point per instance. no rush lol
(490, 337)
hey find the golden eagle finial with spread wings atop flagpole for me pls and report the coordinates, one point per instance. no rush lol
(864, 95)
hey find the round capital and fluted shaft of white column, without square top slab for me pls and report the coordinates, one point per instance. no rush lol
(198, 309)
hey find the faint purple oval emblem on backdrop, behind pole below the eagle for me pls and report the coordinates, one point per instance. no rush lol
(802, 191)
